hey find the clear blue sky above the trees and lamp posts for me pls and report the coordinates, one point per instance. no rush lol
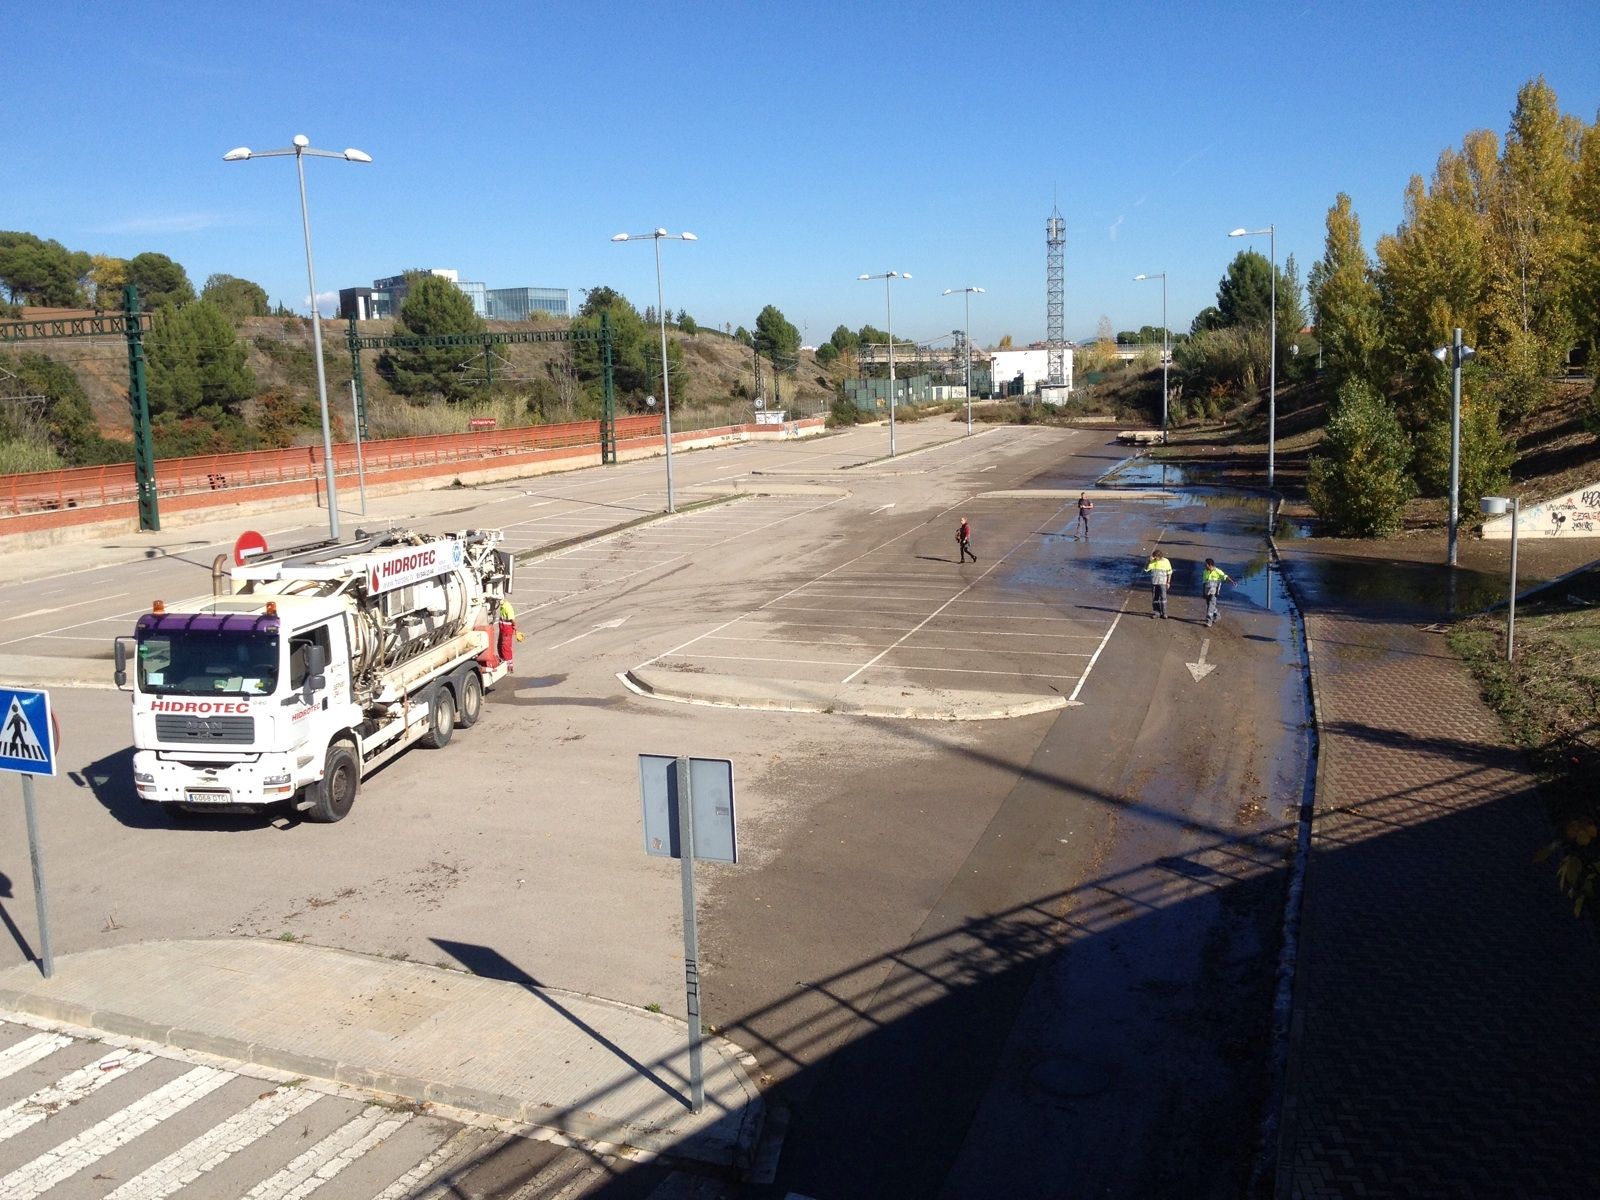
(804, 143)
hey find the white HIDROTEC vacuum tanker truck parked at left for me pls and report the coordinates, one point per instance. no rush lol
(322, 665)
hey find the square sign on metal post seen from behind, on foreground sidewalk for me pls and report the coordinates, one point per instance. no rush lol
(671, 791)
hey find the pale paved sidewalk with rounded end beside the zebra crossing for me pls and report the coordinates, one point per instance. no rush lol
(583, 1066)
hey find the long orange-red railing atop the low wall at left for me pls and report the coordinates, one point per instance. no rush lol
(116, 482)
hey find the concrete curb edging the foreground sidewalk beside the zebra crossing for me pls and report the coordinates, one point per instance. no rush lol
(572, 1122)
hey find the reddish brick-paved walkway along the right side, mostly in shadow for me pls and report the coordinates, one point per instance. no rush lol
(1446, 1039)
